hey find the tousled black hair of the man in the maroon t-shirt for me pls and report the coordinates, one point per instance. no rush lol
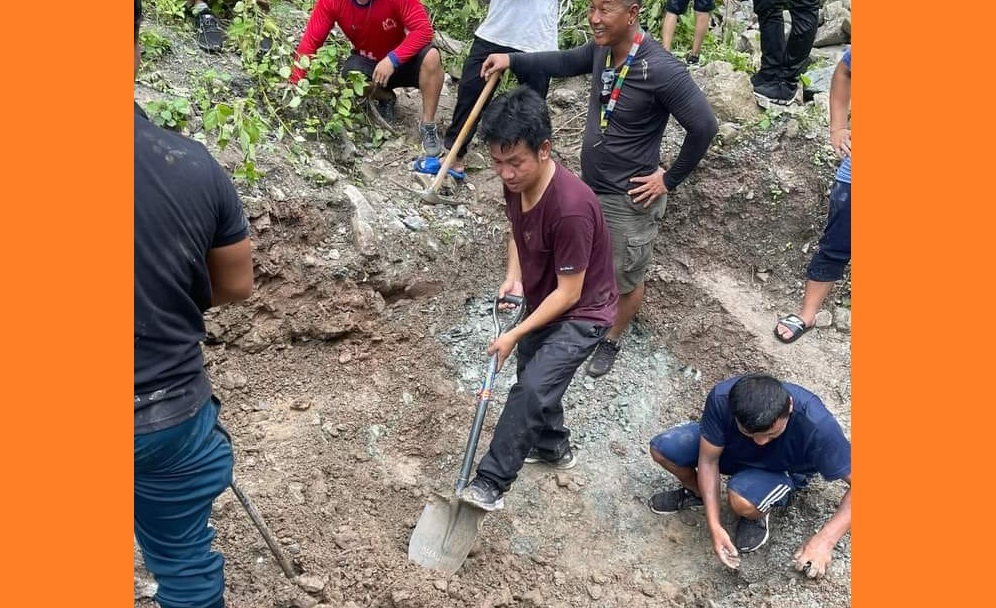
(521, 115)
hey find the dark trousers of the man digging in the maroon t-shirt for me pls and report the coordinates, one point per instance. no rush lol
(533, 415)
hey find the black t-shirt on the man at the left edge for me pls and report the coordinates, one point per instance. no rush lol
(185, 204)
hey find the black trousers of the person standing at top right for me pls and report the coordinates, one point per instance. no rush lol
(783, 60)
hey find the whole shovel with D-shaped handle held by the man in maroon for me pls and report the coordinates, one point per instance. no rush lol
(448, 527)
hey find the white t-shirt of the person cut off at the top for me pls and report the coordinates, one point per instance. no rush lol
(525, 25)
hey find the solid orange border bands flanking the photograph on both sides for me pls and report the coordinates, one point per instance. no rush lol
(921, 237)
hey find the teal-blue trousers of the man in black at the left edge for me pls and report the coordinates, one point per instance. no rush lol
(179, 472)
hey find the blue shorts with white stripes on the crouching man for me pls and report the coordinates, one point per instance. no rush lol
(763, 489)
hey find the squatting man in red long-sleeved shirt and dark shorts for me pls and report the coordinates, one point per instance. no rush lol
(392, 45)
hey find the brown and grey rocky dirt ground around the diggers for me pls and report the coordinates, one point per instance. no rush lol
(349, 377)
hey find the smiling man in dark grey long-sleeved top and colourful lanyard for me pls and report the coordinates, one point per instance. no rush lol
(636, 86)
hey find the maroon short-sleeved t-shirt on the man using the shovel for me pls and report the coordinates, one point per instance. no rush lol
(565, 233)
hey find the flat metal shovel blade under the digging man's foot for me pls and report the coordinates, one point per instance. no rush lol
(445, 533)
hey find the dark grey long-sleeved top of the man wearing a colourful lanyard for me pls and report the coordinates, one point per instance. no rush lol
(658, 86)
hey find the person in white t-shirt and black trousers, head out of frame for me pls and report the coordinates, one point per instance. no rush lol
(512, 26)
